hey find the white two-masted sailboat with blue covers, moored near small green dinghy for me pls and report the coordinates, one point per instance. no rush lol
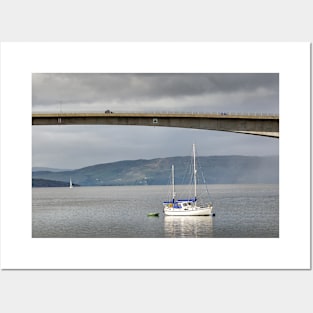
(187, 206)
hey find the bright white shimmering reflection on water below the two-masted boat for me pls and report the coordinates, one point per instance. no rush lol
(188, 226)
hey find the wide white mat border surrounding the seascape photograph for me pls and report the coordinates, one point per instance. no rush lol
(290, 251)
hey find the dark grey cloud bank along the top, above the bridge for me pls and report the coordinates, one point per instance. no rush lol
(51, 89)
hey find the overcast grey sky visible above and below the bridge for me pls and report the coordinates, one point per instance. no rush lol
(72, 147)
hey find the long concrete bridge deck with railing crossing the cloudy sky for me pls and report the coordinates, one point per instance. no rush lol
(257, 124)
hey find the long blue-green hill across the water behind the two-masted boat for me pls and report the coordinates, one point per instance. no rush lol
(216, 170)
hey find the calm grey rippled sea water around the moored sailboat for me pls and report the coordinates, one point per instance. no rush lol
(242, 211)
